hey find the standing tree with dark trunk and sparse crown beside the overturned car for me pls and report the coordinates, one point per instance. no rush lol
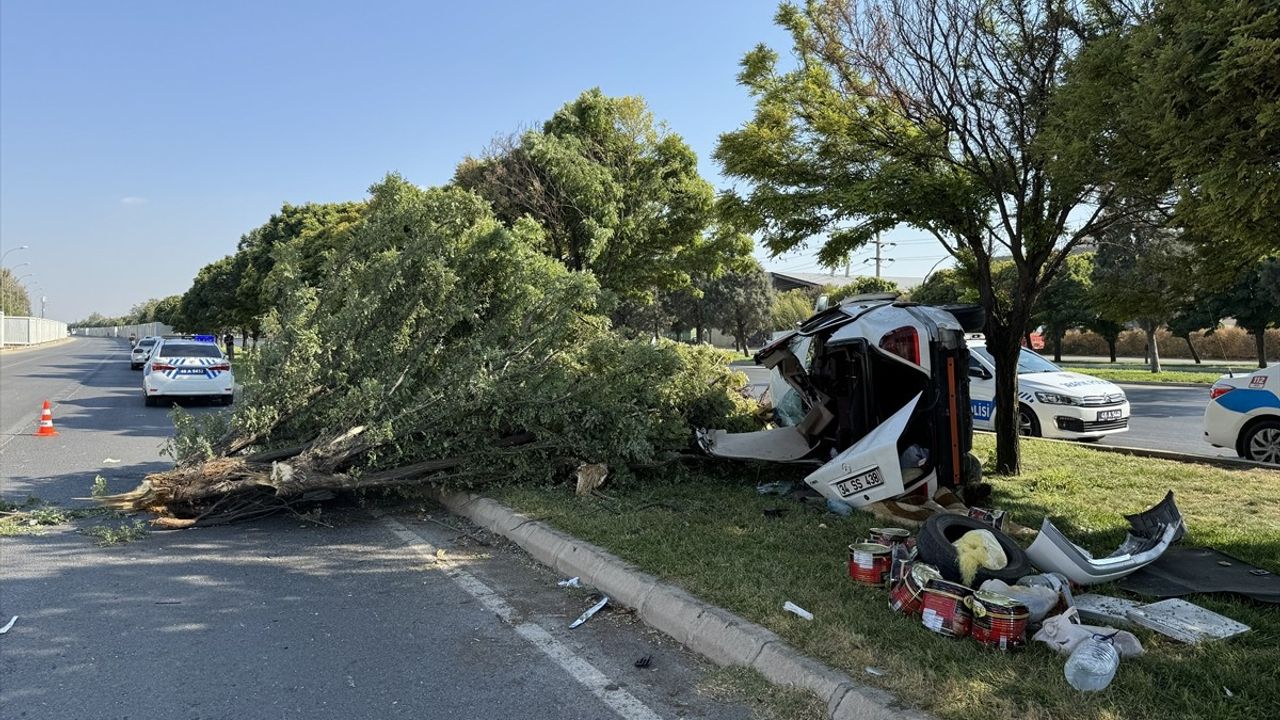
(939, 115)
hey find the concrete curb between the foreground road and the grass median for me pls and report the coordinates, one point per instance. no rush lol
(712, 632)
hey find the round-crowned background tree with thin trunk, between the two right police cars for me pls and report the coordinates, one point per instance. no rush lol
(1141, 274)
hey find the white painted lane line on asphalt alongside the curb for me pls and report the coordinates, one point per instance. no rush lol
(619, 700)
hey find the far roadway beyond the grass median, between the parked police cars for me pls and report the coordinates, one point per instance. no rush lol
(1163, 418)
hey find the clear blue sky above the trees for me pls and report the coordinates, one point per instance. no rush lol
(140, 140)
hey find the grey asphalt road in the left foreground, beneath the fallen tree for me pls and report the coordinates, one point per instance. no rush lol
(282, 618)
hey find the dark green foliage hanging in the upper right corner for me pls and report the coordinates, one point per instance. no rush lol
(1192, 93)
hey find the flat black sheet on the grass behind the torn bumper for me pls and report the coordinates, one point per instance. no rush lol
(1186, 571)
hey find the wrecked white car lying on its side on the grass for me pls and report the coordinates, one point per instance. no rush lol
(875, 394)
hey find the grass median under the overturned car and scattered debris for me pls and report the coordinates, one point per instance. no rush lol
(710, 536)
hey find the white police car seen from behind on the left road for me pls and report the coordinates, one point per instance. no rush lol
(185, 367)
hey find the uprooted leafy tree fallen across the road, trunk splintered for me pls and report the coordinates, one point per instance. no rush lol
(449, 348)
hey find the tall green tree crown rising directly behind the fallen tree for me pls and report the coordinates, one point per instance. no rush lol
(615, 193)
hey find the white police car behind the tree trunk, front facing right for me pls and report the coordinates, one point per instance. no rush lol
(1052, 402)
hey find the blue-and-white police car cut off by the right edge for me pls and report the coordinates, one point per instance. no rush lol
(1244, 414)
